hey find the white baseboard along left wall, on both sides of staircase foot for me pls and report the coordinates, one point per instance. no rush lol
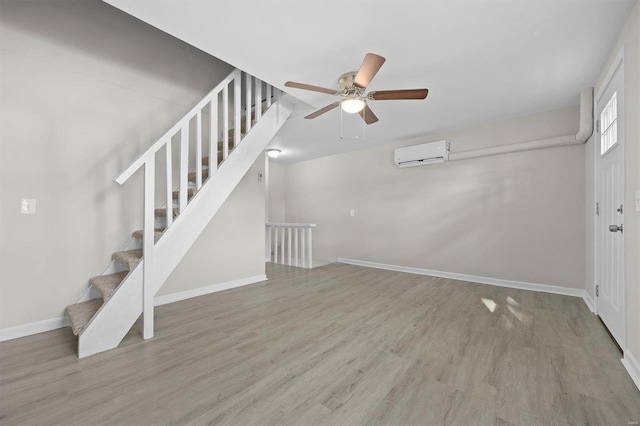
(24, 330)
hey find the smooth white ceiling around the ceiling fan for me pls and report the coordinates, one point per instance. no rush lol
(482, 60)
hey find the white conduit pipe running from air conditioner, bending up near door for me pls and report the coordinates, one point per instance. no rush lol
(585, 131)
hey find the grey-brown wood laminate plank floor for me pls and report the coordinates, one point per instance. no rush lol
(338, 344)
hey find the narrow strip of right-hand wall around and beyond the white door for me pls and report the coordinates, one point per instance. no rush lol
(629, 39)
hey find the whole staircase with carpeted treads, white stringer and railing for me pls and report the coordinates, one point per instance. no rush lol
(244, 114)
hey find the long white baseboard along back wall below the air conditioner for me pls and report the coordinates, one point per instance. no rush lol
(472, 278)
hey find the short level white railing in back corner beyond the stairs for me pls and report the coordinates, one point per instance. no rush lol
(290, 243)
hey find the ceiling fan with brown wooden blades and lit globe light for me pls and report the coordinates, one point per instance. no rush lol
(352, 86)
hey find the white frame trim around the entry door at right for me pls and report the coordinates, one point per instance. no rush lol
(617, 64)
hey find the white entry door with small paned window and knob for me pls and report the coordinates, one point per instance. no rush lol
(610, 219)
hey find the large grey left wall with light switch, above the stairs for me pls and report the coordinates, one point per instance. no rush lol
(84, 90)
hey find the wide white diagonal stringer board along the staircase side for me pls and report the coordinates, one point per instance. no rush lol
(116, 317)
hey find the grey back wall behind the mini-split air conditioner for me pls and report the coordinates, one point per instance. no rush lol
(516, 216)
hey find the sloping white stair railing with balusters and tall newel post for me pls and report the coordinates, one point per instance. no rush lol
(224, 110)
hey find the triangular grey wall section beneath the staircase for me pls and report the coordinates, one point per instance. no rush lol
(232, 245)
